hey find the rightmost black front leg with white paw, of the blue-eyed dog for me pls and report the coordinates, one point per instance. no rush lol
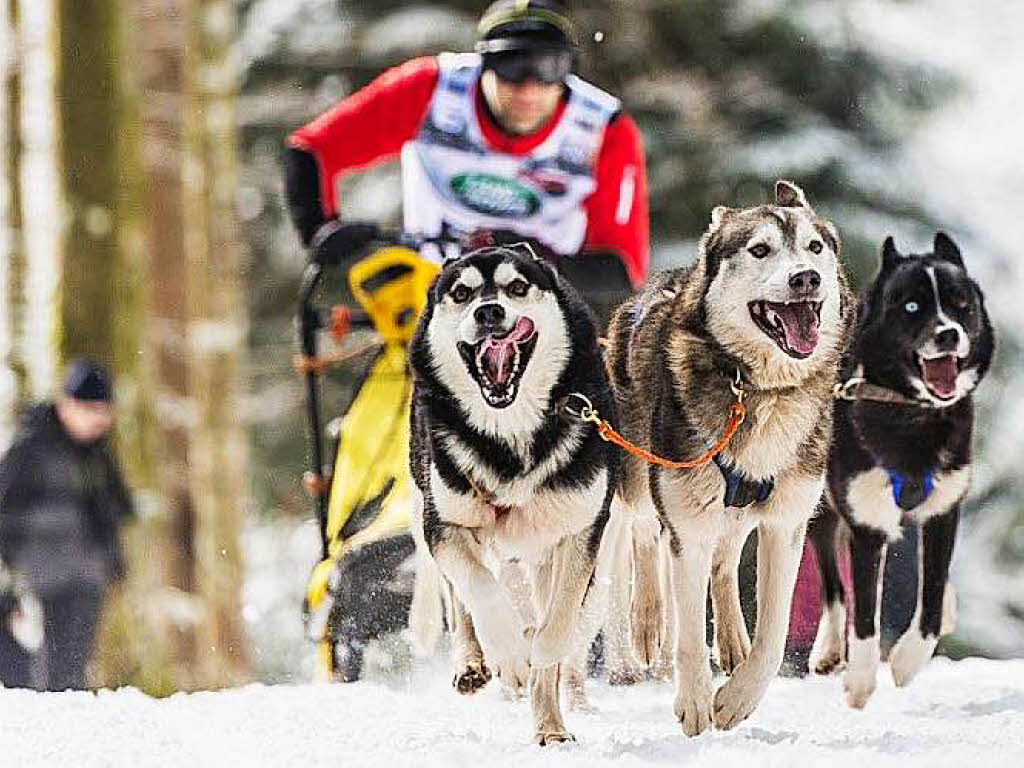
(918, 644)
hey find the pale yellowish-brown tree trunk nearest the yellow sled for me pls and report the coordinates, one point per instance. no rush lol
(217, 334)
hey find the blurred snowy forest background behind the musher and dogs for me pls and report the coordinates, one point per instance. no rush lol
(142, 222)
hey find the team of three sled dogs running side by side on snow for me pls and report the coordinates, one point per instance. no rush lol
(566, 489)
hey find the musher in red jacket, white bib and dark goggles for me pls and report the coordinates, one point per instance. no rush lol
(505, 139)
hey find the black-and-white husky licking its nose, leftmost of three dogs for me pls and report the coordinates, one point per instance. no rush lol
(502, 349)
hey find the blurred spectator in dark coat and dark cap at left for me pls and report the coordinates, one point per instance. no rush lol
(62, 505)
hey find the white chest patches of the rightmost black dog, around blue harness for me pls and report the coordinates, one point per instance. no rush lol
(870, 496)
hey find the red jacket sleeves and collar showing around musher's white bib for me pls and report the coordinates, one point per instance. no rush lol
(373, 124)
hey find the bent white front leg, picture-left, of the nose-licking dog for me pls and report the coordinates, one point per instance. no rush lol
(496, 621)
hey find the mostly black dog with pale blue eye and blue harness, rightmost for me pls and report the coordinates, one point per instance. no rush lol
(903, 449)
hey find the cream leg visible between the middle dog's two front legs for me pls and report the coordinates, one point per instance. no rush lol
(733, 645)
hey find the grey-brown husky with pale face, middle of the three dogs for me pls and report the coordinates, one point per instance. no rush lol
(767, 305)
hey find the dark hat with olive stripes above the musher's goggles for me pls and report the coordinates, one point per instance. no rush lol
(525, 25)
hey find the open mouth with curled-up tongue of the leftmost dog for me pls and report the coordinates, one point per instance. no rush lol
(497, 363)
